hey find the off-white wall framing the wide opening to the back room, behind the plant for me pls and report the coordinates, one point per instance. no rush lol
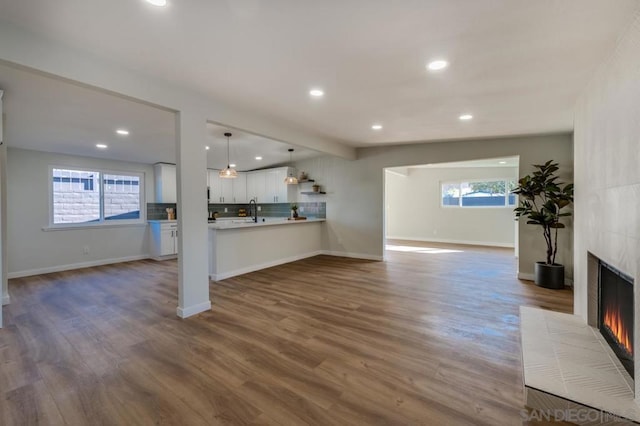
(355, 190)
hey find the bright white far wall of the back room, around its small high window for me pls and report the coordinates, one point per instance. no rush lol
(414, 211)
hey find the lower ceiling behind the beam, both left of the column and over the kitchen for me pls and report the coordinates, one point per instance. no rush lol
(48, 114)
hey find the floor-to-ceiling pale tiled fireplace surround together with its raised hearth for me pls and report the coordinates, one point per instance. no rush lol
(606, 224)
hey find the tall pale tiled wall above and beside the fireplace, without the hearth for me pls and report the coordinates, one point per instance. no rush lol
(607, 172)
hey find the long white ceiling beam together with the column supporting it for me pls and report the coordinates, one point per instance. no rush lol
(193, 110)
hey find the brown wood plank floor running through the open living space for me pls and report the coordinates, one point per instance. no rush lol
(428, 337)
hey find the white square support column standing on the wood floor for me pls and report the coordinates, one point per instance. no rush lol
(193, 266)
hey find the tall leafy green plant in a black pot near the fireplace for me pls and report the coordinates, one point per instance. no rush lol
(542, 200)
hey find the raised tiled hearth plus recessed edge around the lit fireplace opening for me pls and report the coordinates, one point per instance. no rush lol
(568, 365)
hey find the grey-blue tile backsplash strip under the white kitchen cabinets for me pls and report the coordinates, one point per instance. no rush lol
(157, 211)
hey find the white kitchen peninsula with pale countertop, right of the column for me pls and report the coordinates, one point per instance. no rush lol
(240, 246)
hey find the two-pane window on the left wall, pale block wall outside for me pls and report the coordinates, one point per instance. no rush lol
(95, 197)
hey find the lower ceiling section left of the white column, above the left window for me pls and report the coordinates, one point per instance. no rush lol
(46, 114)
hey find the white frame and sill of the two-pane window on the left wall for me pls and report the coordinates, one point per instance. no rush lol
(102, 223)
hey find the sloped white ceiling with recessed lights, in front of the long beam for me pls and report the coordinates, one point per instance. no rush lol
(517, 65)
